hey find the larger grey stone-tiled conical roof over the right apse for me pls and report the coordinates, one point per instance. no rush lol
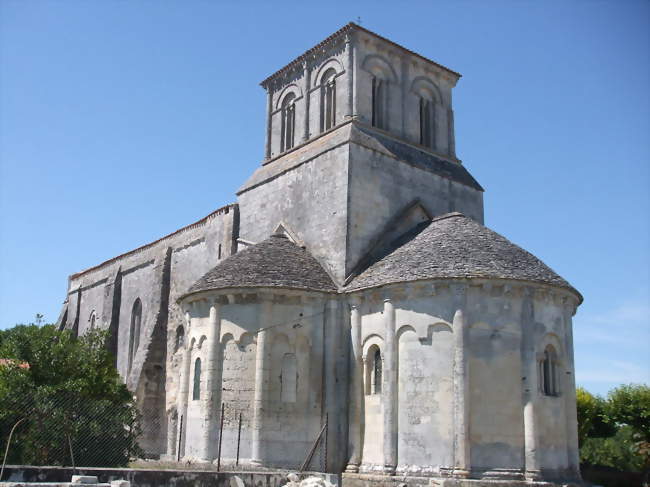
(455, 246)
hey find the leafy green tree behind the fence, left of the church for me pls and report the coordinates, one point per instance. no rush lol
(71, 396)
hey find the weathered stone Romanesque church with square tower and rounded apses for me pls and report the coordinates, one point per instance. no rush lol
(353, 281)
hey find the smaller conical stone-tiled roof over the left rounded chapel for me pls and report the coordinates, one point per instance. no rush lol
(274, 262)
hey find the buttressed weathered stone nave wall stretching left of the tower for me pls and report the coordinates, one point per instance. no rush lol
(155, 275)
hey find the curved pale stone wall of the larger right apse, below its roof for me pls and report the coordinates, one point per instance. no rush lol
(511, 430)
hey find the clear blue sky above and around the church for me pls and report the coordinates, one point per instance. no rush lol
(122, 121)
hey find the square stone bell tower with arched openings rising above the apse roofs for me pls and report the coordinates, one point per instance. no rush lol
(360, 144)
